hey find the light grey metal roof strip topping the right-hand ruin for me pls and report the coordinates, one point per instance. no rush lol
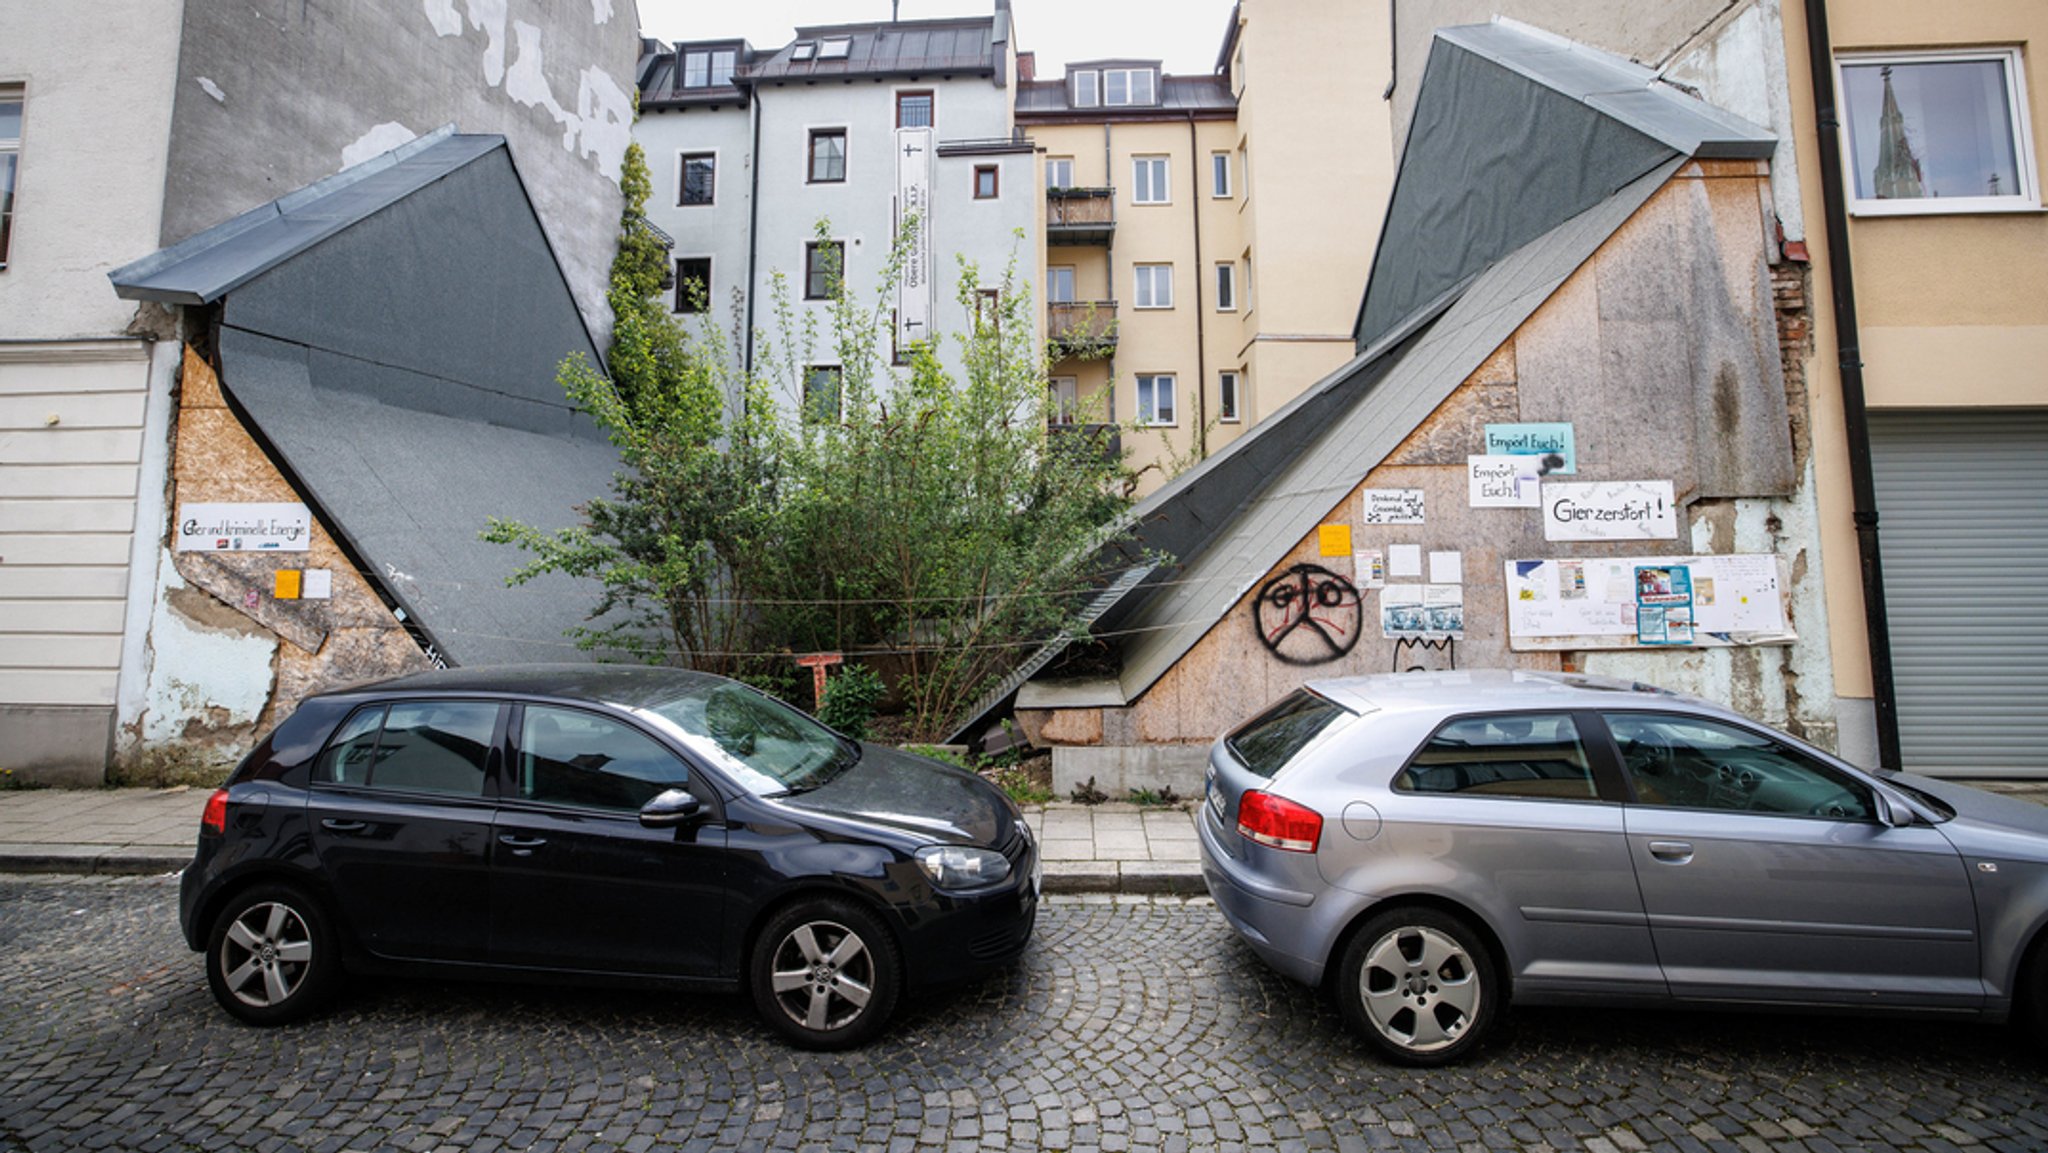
(1615, 87)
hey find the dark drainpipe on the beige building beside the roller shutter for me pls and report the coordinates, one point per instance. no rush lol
(1854, 415)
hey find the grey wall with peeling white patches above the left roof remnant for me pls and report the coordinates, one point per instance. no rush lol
(275, 95)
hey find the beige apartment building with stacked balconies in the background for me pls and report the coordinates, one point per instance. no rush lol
(1183, 294)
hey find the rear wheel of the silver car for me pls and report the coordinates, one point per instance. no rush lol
(1420, 986)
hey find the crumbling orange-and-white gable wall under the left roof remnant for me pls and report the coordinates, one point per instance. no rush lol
(226, 656)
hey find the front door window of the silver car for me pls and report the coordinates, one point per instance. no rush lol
(1689, 763)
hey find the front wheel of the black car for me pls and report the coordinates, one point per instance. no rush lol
(826, 974)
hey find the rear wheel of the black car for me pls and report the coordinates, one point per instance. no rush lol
(273, 955)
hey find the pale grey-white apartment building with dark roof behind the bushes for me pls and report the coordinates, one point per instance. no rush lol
(783, 171)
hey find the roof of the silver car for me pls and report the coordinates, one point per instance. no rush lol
(1492, 689)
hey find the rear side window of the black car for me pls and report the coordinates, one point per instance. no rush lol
(421, 746)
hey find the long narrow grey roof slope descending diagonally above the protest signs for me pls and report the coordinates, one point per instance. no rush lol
(1496, 304)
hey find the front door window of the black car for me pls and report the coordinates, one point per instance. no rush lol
(583, 759)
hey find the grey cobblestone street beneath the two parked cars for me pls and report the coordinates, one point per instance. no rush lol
(1129, 1025)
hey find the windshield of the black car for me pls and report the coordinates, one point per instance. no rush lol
(763, 744)
